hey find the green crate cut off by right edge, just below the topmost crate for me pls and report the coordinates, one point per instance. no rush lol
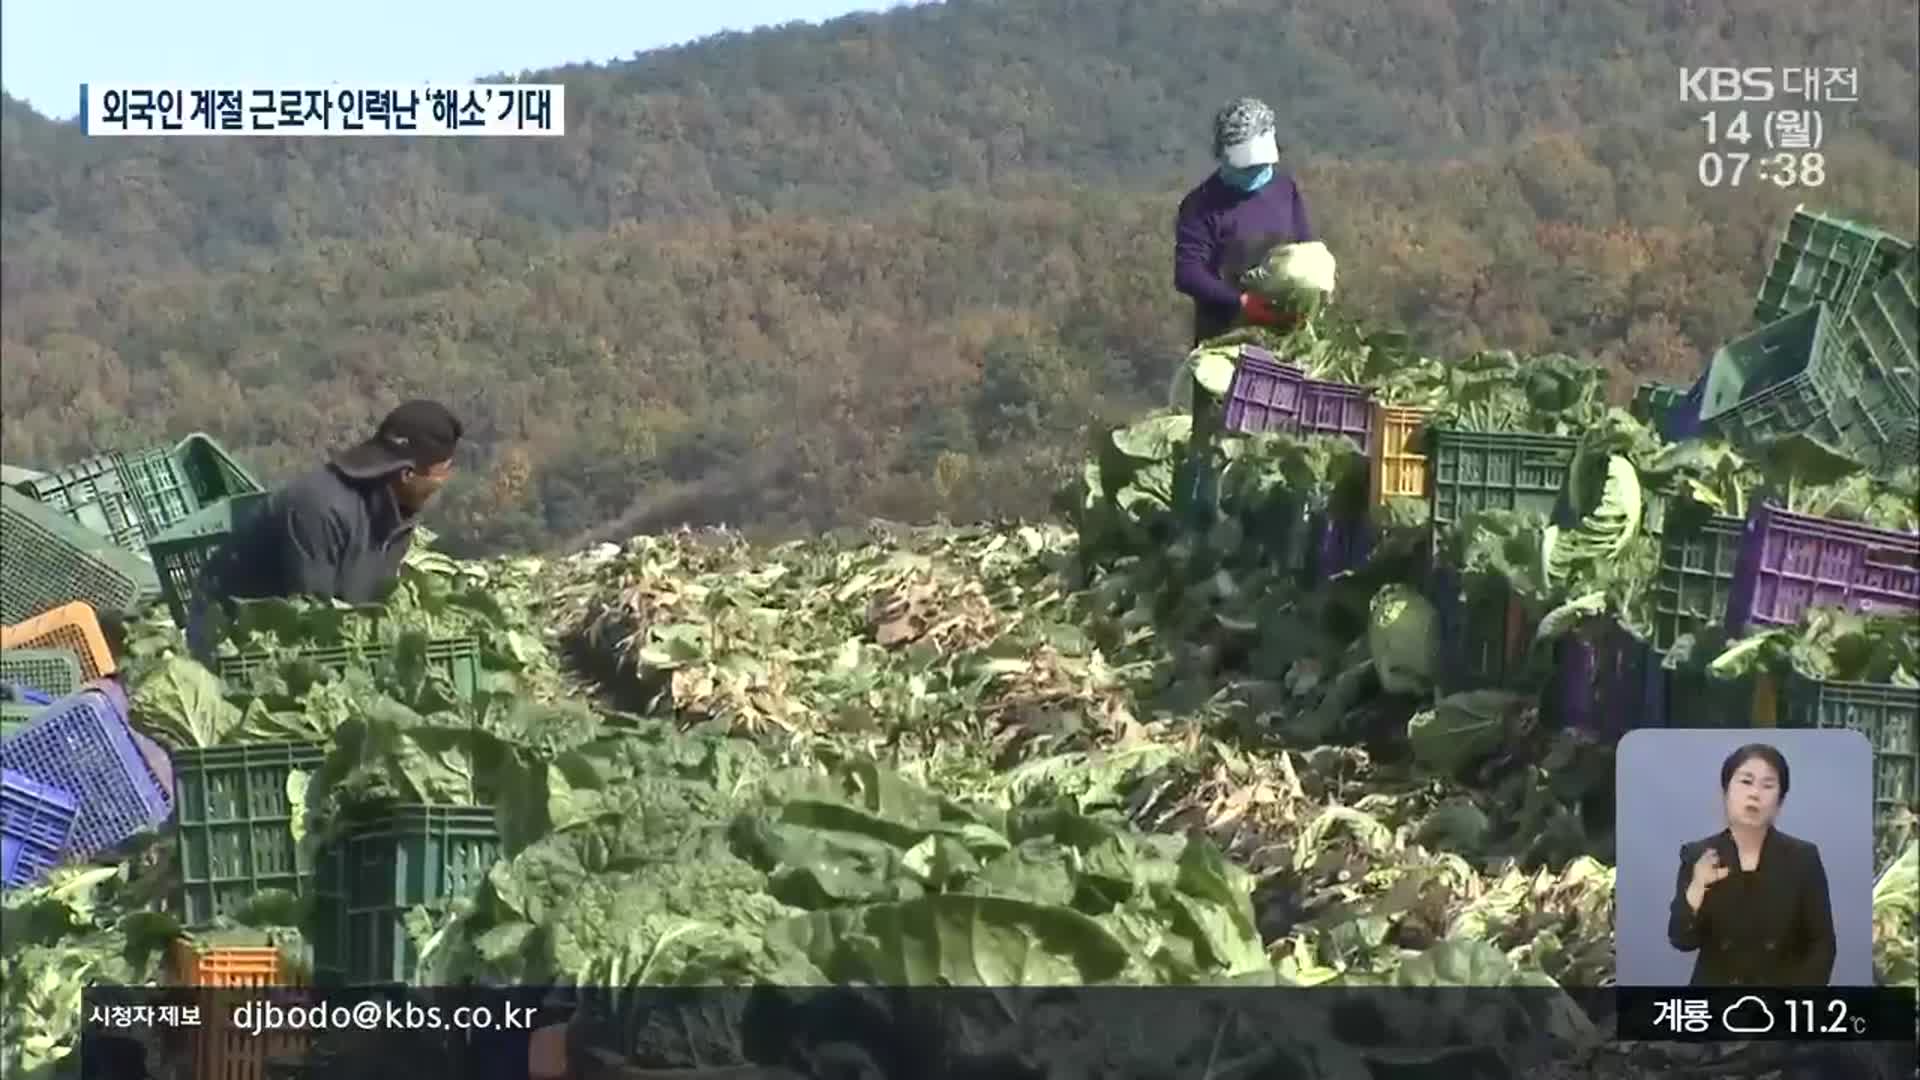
(1879, 337)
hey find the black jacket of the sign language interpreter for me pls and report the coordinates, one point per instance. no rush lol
(1764, 927)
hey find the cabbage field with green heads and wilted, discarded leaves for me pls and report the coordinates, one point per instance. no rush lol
(1147, 745)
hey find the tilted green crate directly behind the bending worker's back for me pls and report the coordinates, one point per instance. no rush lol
(132, 499)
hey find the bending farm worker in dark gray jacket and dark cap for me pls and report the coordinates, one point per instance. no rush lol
(339, 533)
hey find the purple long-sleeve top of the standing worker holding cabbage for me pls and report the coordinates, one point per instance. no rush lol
(1220, 226)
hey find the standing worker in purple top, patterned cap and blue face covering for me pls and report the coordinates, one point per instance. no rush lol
(1234, 220)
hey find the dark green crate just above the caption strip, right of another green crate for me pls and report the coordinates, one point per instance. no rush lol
(379, 870)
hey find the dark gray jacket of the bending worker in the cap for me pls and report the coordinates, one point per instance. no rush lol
(324, 535)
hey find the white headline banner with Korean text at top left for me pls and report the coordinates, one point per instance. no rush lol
(333, 112)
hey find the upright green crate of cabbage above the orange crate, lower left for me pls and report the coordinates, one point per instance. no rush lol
(235, 825)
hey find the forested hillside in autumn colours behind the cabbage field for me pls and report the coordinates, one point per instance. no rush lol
(894, 266)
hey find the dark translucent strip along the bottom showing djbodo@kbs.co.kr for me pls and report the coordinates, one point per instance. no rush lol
(932, 1035)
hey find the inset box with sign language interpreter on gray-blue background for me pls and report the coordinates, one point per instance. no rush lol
(1746, 858)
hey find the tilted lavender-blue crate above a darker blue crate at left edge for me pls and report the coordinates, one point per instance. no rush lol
(85, 747)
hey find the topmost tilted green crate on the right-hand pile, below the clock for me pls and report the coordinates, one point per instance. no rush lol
(1825, 260)
